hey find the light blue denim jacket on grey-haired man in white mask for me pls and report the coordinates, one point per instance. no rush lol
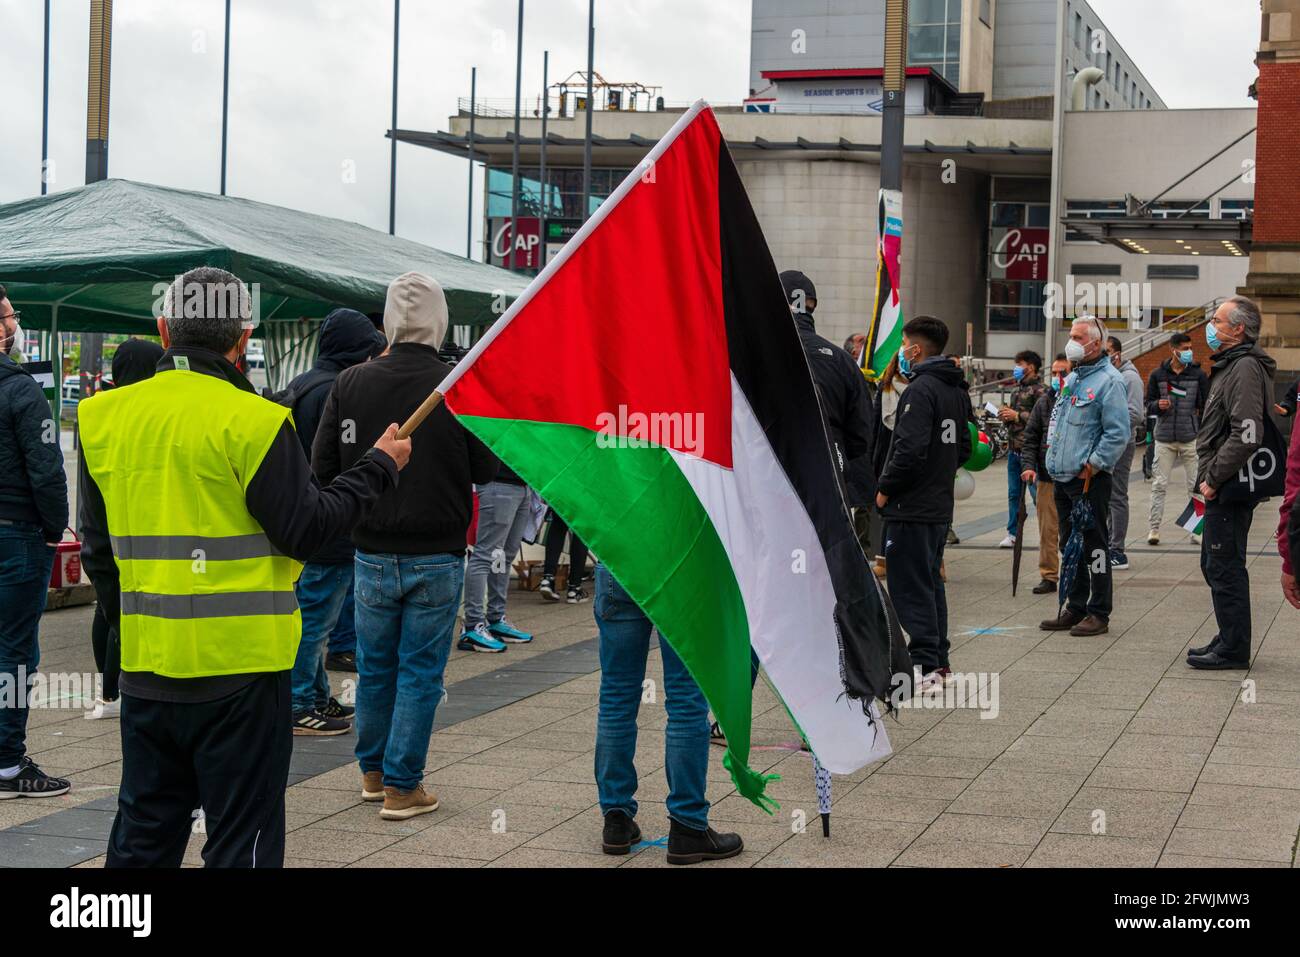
(1090, 423)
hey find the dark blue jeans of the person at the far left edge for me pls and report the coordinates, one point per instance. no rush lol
(25, 566)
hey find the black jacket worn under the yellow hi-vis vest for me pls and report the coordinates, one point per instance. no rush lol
(293, 509)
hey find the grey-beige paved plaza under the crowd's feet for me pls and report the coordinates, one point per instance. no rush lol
(1103, 752)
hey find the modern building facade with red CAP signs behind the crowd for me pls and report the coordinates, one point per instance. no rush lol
(1032, 137)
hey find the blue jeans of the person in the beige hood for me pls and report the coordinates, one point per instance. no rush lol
(406, 610)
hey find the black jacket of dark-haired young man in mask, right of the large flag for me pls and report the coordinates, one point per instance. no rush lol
(930, 443)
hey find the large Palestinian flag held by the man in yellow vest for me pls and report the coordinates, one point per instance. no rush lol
(651, 386)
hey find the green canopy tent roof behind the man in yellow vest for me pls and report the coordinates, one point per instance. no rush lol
(93, 261)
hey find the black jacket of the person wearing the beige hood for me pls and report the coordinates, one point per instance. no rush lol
(430, 514)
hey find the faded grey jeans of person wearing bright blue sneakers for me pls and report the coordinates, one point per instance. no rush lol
(502, 518)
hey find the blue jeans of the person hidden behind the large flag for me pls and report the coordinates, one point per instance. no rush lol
(625, 646)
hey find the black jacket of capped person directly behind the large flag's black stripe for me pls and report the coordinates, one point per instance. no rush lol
(847, 405)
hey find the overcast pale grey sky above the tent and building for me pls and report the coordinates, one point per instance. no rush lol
(311, 81)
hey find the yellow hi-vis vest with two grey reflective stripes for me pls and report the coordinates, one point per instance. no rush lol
(203, 590)
